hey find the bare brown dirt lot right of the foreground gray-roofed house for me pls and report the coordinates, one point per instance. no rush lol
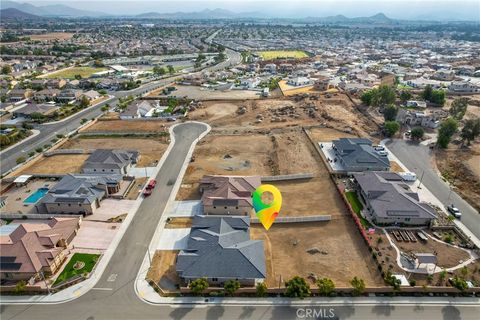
(286, 256)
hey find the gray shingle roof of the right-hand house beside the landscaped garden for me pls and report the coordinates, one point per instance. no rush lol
(390, 197)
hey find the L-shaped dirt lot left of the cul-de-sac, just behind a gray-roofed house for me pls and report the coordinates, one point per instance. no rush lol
(151, 149)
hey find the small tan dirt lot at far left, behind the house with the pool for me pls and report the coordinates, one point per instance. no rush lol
(57, 164)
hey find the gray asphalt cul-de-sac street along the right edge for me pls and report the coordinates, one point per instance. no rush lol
(417, 158)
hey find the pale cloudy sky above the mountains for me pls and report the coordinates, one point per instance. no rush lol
(405, 9)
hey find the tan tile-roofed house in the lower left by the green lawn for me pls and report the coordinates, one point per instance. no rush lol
(34, 250)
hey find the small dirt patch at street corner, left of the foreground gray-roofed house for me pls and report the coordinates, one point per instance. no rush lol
(163, 271)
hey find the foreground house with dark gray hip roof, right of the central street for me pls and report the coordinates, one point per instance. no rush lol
(220, 249)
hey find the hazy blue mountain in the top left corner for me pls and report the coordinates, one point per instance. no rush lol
(57, 10)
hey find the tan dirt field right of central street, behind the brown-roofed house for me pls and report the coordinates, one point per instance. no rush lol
(227, 155)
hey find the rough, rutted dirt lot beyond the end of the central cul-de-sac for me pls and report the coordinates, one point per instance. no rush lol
(337, 111)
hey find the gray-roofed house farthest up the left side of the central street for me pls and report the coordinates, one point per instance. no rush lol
(110, 161)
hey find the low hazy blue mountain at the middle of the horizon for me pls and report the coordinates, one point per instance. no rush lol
(200, 15)
